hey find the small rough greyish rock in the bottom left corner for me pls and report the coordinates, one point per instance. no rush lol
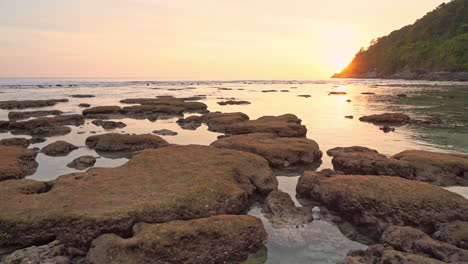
(52, 253)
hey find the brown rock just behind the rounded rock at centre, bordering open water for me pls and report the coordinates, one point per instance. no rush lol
(284, 126)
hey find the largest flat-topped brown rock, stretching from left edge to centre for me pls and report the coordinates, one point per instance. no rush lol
(155, 186)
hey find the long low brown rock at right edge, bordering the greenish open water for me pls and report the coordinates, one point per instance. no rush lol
(443, 169)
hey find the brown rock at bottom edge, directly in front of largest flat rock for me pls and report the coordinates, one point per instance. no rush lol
(216, 239)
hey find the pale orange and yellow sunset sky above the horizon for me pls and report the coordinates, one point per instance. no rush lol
(193, 40)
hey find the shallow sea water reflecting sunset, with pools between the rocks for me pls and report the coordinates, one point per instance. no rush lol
(323, 114)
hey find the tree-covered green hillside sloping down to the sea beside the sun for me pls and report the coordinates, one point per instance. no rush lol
(435, 47)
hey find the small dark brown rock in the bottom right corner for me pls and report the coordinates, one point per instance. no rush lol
(414, 241)
